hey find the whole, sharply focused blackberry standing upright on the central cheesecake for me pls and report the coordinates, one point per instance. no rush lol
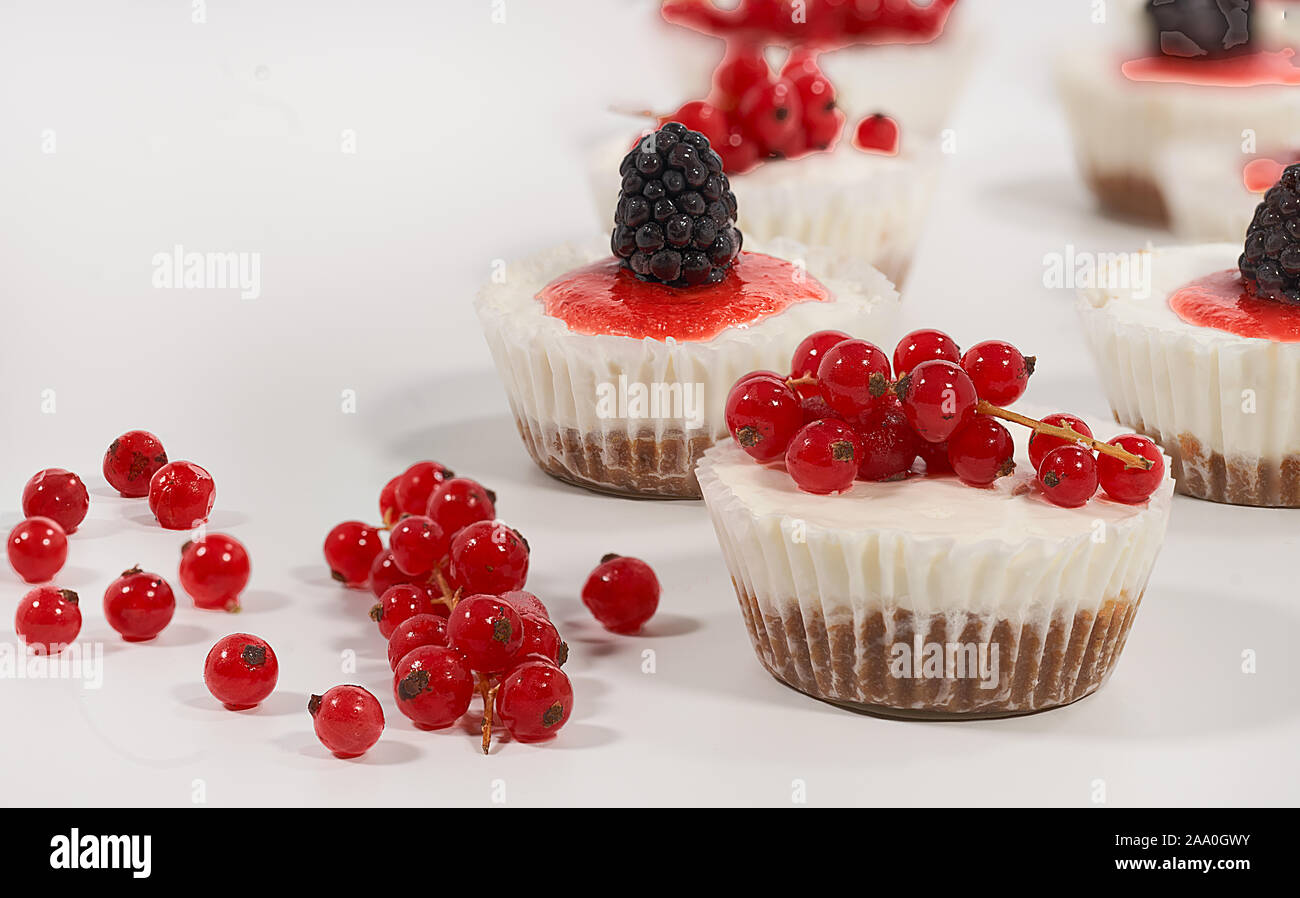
(677, 216)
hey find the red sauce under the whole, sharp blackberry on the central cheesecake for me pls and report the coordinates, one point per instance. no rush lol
(605, 298)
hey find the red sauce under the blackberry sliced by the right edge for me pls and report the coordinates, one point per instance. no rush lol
(1223, 302)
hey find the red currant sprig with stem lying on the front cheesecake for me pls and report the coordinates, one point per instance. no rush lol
(846, 414)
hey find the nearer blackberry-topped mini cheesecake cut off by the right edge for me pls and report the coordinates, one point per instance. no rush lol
(1206, 358)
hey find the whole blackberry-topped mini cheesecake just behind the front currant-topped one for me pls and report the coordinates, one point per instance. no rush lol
(617, 357)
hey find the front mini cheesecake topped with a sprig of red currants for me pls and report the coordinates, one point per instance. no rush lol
(898, 550)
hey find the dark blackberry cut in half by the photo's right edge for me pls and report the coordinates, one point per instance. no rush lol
(1271, 262)
